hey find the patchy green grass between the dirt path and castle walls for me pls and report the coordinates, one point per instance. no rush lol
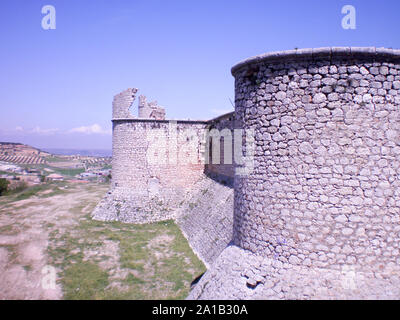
(151, 261)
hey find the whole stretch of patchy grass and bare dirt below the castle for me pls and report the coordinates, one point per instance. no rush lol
(94, 260)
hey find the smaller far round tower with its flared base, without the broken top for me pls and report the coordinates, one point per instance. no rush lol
(154, 163)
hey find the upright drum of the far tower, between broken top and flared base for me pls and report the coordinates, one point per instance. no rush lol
(149, 156)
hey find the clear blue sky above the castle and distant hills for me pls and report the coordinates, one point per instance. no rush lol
(56, 86)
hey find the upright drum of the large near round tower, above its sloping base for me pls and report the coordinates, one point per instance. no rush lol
(325, 190)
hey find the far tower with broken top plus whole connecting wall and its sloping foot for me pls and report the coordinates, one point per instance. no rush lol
(158, 170)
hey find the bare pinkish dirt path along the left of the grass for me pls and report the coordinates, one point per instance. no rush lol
(25, 226)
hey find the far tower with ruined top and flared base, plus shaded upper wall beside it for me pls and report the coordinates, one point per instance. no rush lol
(156, 161)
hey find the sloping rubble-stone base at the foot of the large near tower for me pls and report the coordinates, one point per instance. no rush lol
(238, 274)
